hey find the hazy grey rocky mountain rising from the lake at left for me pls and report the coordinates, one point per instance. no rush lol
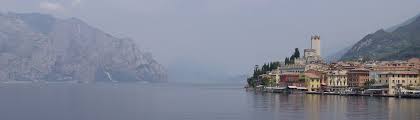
(40, 47)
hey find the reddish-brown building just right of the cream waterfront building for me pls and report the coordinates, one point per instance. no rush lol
(357, 77)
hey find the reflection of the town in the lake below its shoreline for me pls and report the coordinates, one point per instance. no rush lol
(333, 107)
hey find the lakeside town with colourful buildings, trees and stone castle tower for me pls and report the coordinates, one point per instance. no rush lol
(310, 74)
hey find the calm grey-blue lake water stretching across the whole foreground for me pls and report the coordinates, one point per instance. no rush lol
(188, 102)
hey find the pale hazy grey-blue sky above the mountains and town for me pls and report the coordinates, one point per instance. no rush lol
(229, 35)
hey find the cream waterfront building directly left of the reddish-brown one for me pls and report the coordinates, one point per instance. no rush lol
(337, 80)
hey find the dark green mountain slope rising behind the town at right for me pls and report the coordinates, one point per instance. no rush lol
(400, 42)
